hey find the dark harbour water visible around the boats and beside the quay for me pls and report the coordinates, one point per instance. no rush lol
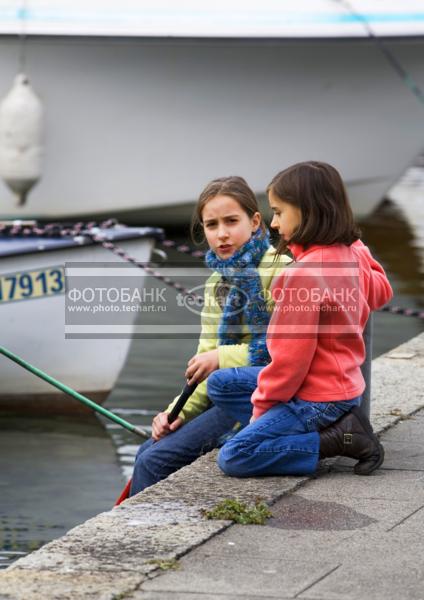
(55, 474)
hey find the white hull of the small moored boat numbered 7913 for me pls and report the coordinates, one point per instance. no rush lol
(35, 330)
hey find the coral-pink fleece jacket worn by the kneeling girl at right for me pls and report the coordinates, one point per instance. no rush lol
(322, 303)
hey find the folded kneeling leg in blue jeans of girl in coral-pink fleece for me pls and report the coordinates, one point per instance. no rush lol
(283, 441)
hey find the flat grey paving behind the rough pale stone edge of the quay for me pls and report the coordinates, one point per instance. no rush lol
(339, 536)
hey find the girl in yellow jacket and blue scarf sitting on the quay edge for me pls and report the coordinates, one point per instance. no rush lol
(234, 320)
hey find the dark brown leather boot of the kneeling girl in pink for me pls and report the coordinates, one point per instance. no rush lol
(352, 436)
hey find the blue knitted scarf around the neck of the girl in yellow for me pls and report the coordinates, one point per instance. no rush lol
(245, 302)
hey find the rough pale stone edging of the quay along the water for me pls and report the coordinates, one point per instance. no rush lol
(110, 556)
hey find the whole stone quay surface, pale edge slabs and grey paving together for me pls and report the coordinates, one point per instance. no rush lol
(336, 536)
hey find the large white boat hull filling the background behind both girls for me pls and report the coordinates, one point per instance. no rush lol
(137, 127)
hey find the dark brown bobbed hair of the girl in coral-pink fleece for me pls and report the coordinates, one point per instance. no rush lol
(317, 189)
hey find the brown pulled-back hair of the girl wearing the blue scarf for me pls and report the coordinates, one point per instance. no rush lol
(233, 186)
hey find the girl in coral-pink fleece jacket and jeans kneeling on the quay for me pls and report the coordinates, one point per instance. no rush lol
(307, 402)
